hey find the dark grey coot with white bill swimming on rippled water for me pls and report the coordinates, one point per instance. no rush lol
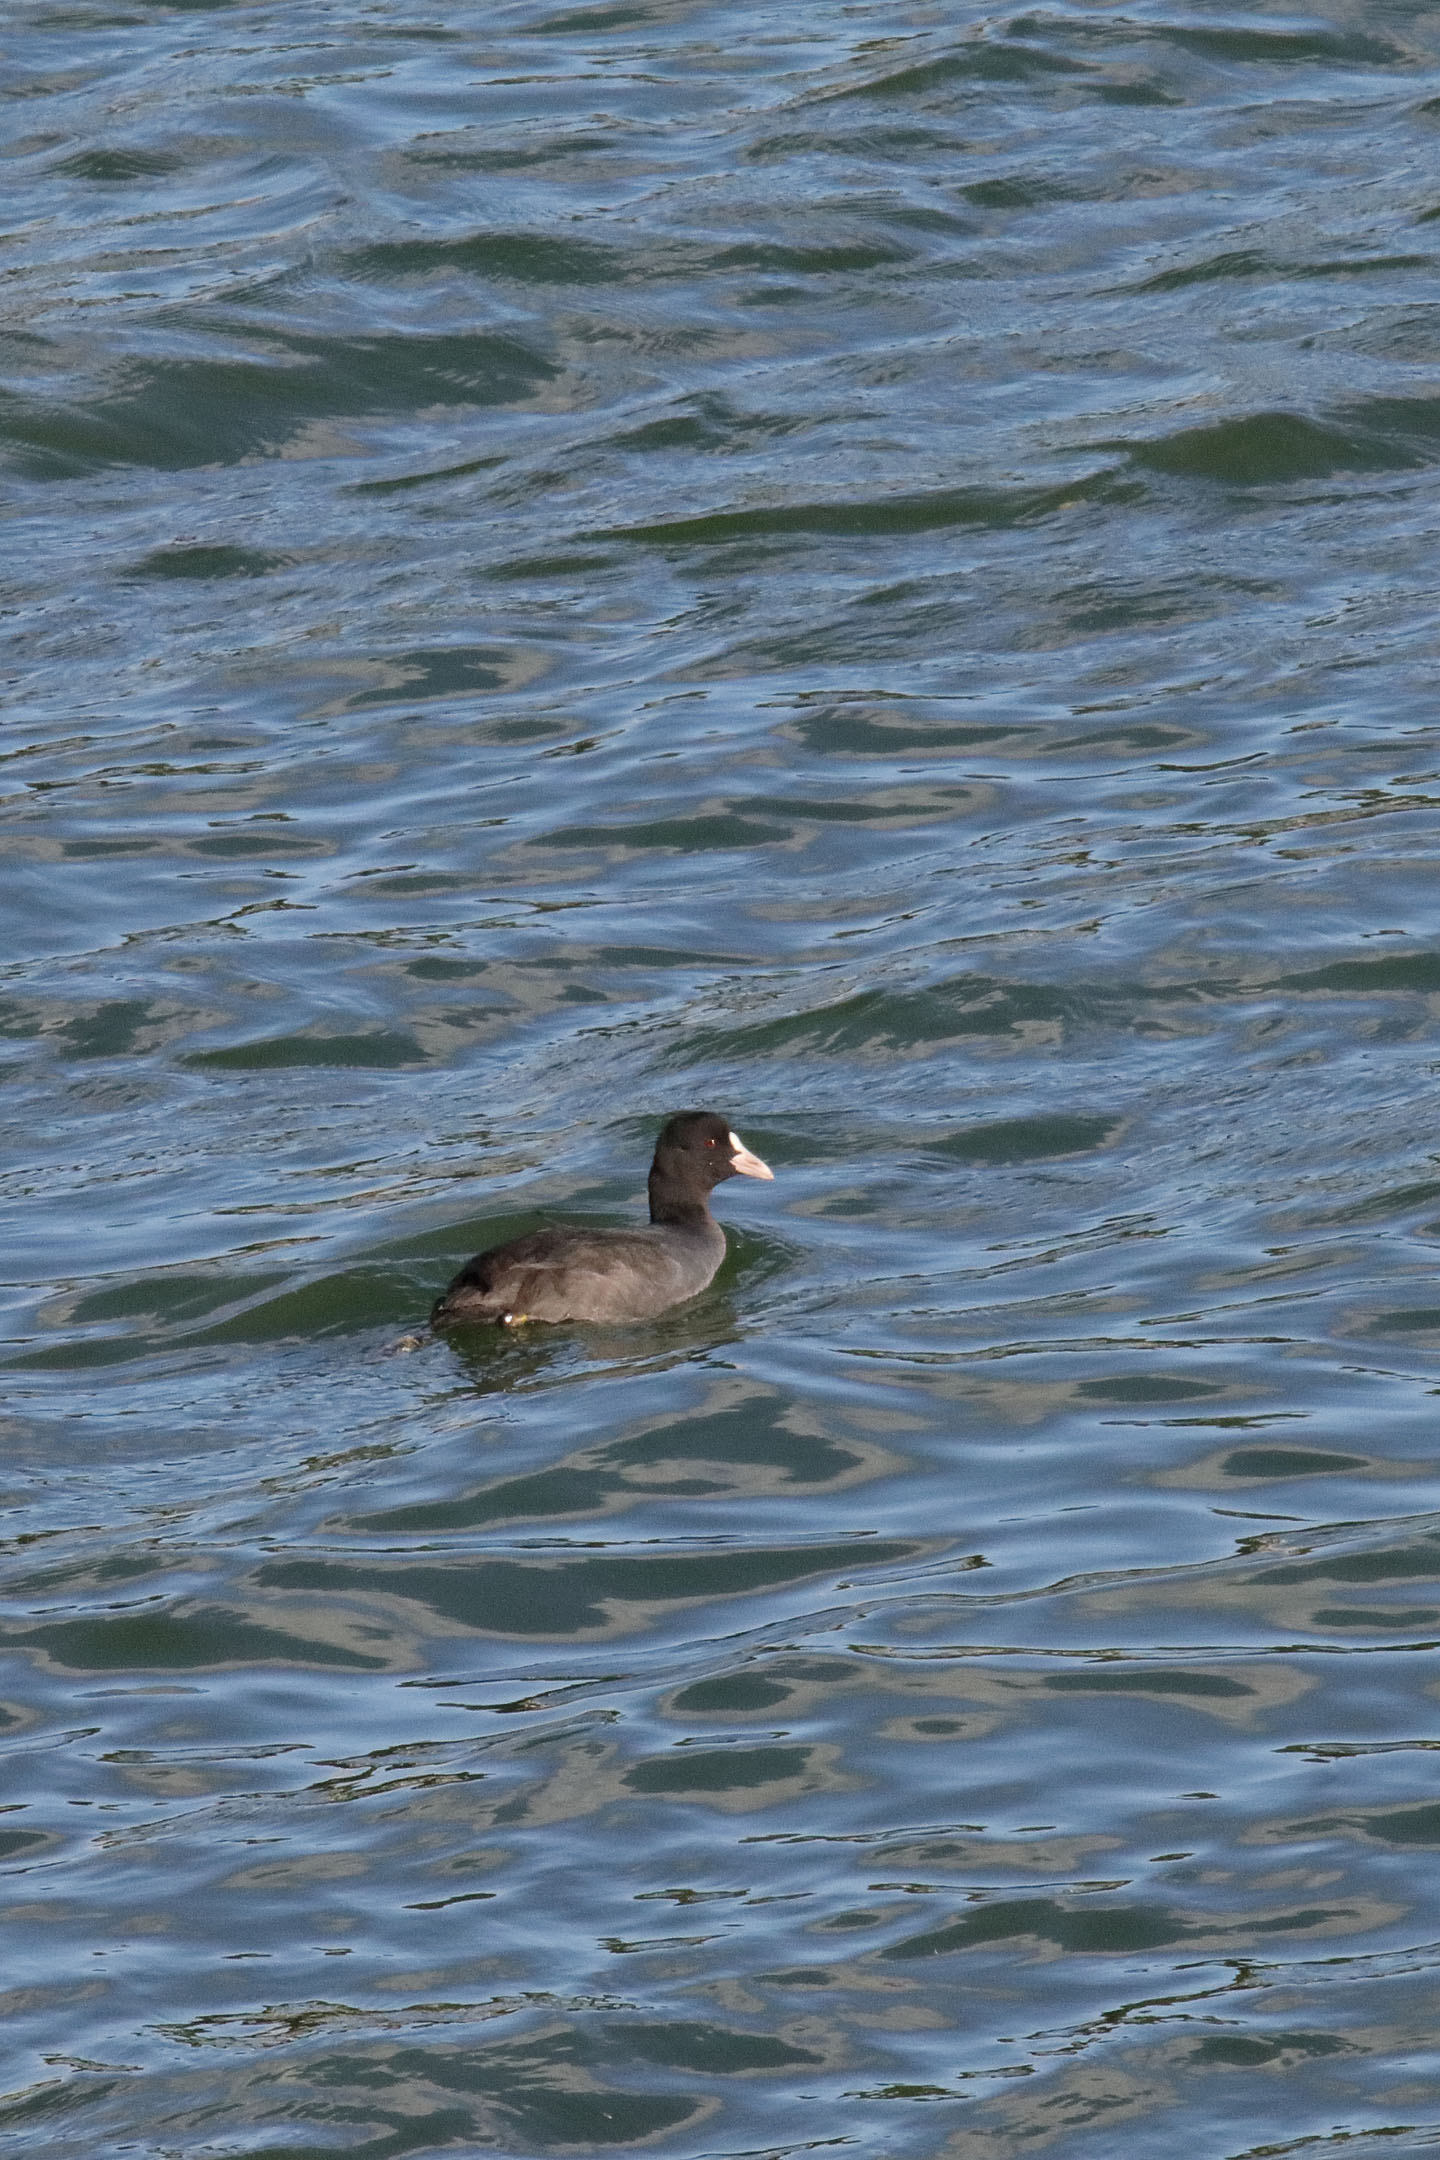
(616, 1273)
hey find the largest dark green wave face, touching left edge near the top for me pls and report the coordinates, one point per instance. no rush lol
(169, 416)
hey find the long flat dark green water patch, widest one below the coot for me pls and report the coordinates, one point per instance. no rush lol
(580, 1597)
